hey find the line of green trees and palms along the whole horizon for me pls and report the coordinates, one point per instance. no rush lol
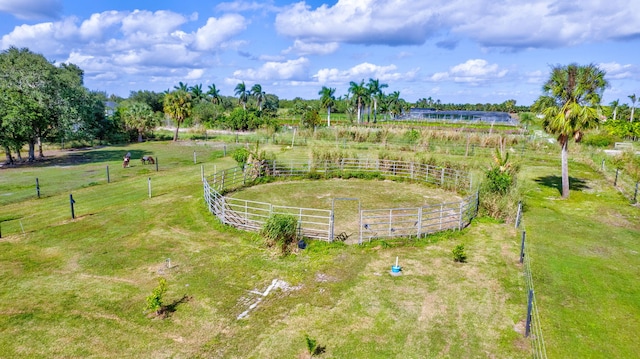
(41, 102)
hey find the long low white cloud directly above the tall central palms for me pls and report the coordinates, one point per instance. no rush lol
(364, 71)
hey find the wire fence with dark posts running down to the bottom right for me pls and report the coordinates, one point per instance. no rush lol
(533, 325)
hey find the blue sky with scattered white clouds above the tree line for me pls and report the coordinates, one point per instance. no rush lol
(460, 51)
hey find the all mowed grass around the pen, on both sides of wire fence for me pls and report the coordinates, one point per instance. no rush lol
(77, 288)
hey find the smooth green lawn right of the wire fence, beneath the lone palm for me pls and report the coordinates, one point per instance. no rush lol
(585, 254)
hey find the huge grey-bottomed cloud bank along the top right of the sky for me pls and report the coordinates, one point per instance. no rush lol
(506, 24)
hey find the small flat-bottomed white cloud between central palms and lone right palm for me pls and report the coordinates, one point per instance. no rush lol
(473, 71)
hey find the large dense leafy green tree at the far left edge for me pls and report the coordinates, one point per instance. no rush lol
(41, 102)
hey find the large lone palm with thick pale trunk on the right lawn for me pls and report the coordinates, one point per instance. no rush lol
(568, 104)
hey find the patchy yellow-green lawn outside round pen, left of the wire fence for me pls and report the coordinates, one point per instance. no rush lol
(77, 287)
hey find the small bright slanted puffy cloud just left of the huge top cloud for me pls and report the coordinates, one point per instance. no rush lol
(217, 31)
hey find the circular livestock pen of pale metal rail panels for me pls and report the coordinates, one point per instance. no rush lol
(320, 223)
